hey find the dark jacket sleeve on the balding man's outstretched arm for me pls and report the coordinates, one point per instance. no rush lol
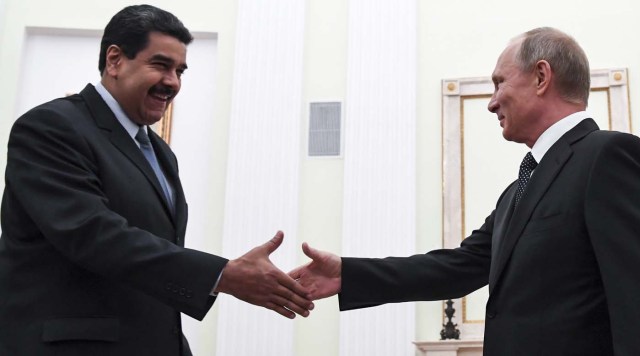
(439, 274)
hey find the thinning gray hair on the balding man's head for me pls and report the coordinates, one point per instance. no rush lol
(565, 56)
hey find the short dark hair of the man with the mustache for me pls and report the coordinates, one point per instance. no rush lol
(129, 29)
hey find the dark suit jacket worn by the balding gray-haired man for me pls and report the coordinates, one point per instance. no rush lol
(561, 268)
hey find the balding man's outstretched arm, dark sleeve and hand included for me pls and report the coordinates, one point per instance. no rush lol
(366, 282)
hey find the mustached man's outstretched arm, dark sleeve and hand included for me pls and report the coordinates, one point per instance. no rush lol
(54, 179)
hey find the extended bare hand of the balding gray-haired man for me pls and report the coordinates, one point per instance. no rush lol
(322, 277)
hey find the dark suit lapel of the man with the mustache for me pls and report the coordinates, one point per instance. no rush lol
(106, 120)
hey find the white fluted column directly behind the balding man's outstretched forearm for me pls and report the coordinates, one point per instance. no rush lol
(380, 162)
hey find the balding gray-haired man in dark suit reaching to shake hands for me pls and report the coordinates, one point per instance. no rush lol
(560, 249)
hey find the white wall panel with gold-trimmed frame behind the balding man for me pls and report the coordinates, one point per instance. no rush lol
(478, 163)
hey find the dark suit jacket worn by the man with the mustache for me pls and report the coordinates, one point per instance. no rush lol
(91, 260)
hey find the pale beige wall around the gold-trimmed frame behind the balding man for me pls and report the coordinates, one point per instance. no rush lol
(463, 39)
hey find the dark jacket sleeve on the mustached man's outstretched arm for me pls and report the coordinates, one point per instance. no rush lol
(52, 175)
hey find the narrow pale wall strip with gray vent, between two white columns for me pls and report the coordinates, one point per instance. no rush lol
(321, 182)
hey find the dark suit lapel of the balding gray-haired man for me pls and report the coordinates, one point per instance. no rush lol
(542, 178)
